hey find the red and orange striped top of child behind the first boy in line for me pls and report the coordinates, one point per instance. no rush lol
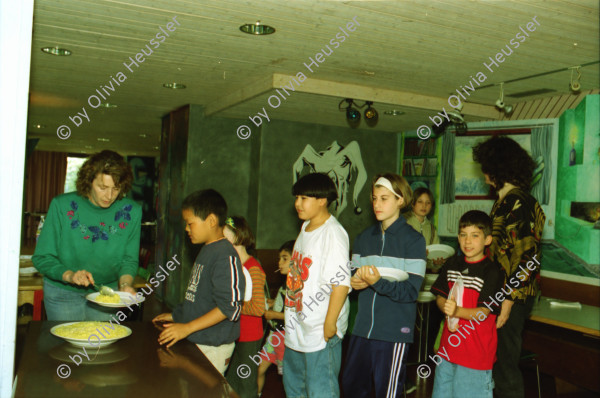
(251, 326)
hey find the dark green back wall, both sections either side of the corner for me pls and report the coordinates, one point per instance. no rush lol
(255, 177)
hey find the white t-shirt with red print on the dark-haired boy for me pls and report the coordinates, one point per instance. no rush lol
(319, 261)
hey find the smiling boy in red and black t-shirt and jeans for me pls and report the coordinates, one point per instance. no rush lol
(468, 352)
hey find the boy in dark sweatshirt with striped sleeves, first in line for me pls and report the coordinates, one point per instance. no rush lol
(209, 314)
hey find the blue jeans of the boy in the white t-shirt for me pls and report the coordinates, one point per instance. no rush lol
(313, 374)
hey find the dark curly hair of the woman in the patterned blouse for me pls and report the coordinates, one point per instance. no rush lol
(503, 160)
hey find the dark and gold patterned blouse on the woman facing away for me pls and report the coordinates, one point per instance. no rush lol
(518, 222)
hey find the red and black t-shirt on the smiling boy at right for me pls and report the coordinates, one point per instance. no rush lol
(474, 344)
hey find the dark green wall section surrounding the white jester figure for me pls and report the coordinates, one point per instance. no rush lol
(281, 144)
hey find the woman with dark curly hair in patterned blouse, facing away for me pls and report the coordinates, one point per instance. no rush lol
(518, 221)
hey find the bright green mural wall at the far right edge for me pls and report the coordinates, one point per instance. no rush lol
(580, 182)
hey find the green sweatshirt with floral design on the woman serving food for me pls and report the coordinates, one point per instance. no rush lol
(78, 235)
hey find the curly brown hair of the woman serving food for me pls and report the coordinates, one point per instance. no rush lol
(105, 162)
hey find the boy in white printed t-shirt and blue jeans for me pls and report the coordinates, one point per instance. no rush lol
(316, 304)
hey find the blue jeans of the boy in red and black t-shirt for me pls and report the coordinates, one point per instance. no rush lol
(455, 381)
